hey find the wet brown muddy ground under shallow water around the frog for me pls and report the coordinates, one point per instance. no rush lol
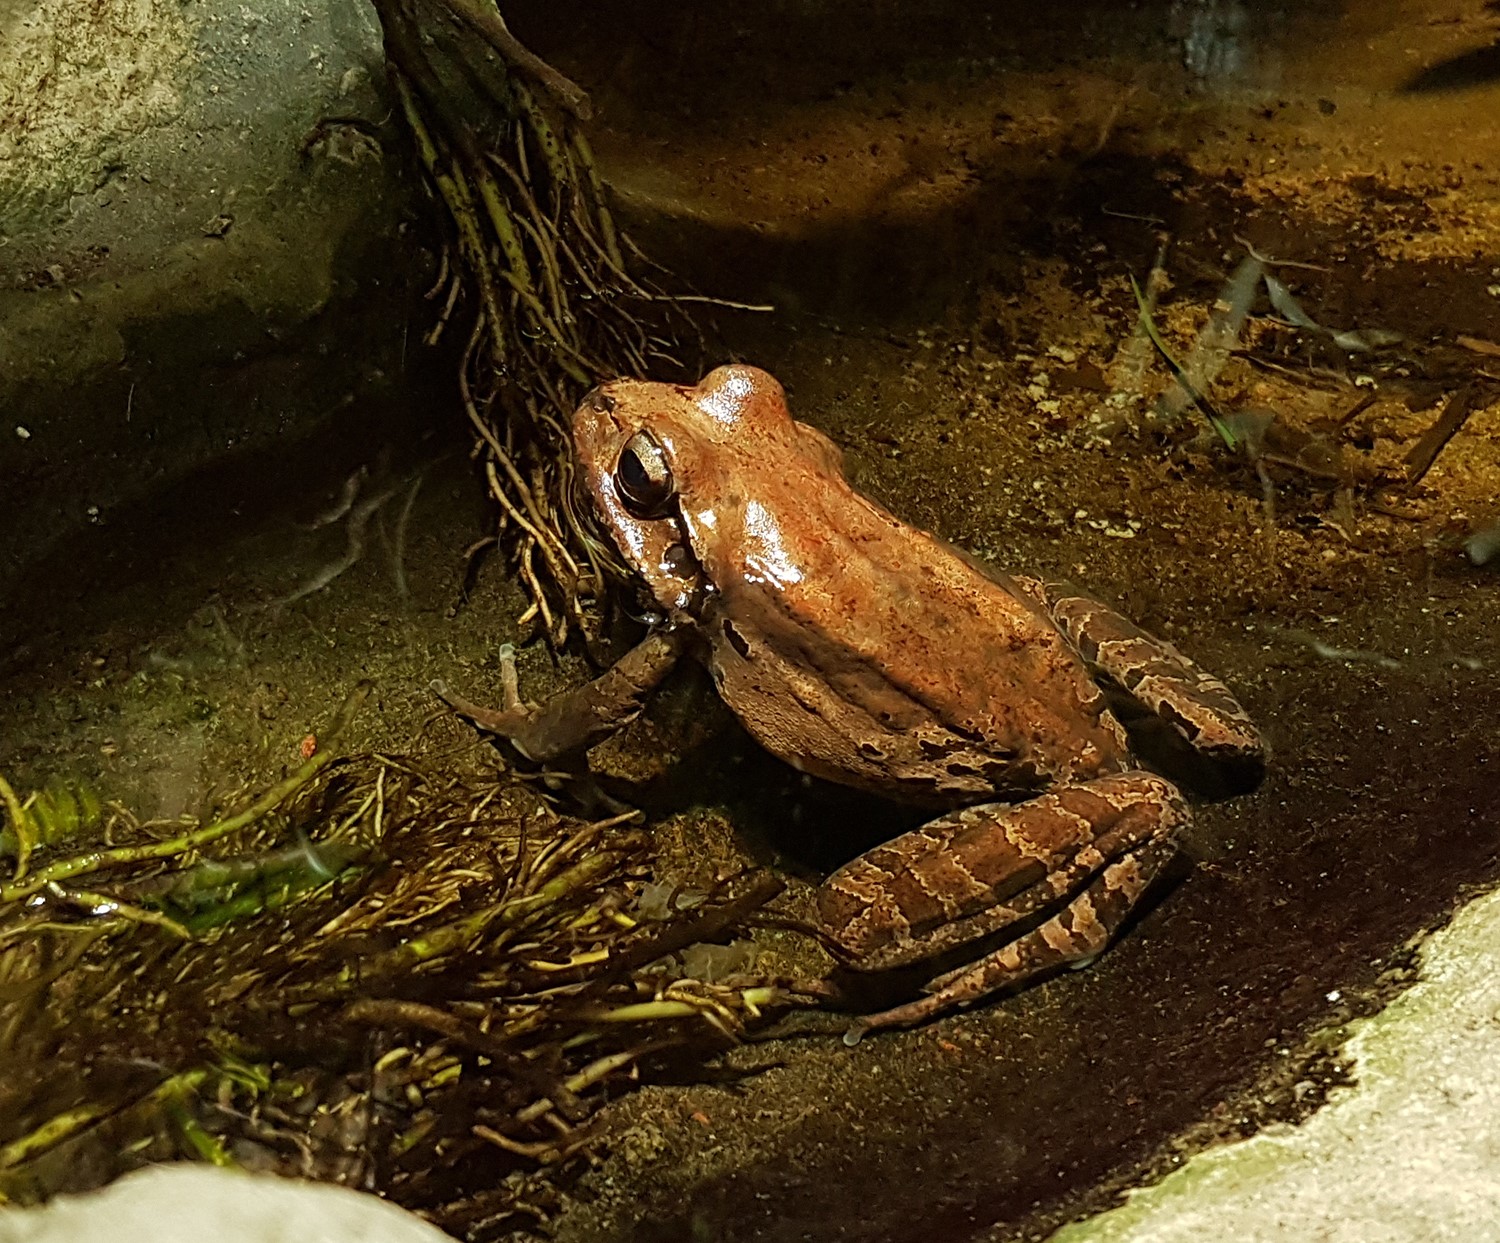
(947, 208)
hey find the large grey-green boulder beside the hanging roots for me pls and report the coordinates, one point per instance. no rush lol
(199, 218)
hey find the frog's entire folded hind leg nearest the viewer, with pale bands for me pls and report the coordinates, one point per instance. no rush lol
(1087, 852)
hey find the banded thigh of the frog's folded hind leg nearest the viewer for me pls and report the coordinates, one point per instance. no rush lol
(986, 867)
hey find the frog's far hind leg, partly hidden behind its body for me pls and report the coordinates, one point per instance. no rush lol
(1166, 683)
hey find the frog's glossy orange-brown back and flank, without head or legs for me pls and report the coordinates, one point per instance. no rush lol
(872, 653)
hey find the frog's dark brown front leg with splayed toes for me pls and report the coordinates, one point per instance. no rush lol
(578, 719)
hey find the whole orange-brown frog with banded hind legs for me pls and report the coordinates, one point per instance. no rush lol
(872, 654)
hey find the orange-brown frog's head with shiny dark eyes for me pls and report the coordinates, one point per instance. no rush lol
(670, 467)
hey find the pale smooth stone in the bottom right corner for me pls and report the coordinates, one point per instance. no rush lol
(1412, 1152)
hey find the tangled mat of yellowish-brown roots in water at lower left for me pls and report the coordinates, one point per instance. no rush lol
(404, 972)
